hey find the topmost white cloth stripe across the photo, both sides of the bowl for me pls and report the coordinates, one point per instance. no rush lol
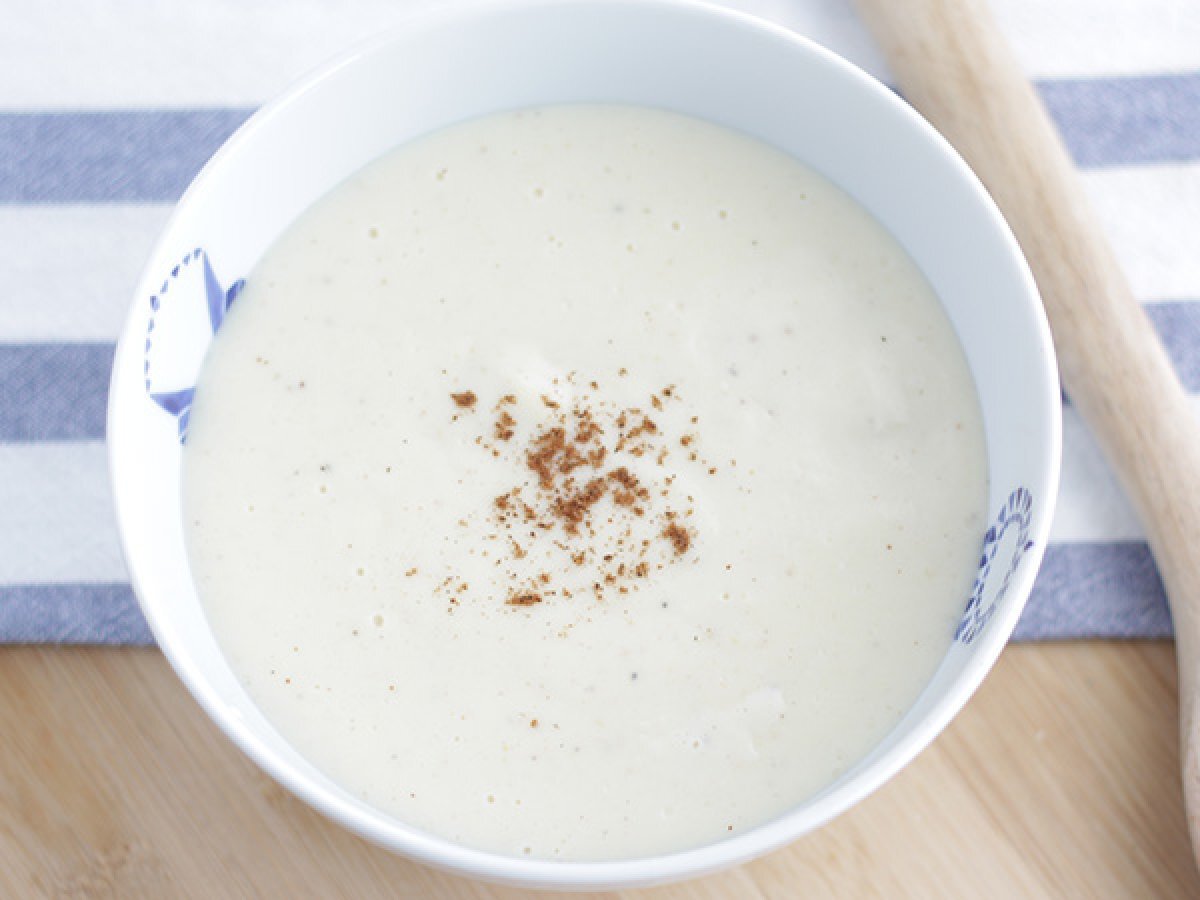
(61, 55)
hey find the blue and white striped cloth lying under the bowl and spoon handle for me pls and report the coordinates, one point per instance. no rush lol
(107, 110)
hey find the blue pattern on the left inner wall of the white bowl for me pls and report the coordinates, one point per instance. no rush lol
(193, 280)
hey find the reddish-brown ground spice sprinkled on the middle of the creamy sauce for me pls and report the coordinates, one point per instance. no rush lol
(591, 494)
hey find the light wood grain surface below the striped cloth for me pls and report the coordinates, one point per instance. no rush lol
(1060, 779)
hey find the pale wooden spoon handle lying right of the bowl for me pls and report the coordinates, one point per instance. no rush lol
(953, 65)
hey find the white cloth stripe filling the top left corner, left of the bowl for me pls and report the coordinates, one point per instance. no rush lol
(130, 53)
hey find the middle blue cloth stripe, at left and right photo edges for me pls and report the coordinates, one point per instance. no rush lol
(59, 392)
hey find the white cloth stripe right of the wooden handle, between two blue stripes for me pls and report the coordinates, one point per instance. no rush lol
(1153, 218)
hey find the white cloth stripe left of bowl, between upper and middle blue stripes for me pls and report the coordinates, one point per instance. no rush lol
(76, 269)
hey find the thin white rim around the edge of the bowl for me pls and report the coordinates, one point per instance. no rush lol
(440, 853)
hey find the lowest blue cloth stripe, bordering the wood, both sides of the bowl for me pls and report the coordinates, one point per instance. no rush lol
(1103, 591)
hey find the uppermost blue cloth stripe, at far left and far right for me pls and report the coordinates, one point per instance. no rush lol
(151, 157)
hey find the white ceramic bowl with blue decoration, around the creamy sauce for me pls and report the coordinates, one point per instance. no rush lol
(465, 63)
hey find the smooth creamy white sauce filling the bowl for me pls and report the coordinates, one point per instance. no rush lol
(339, 499)
